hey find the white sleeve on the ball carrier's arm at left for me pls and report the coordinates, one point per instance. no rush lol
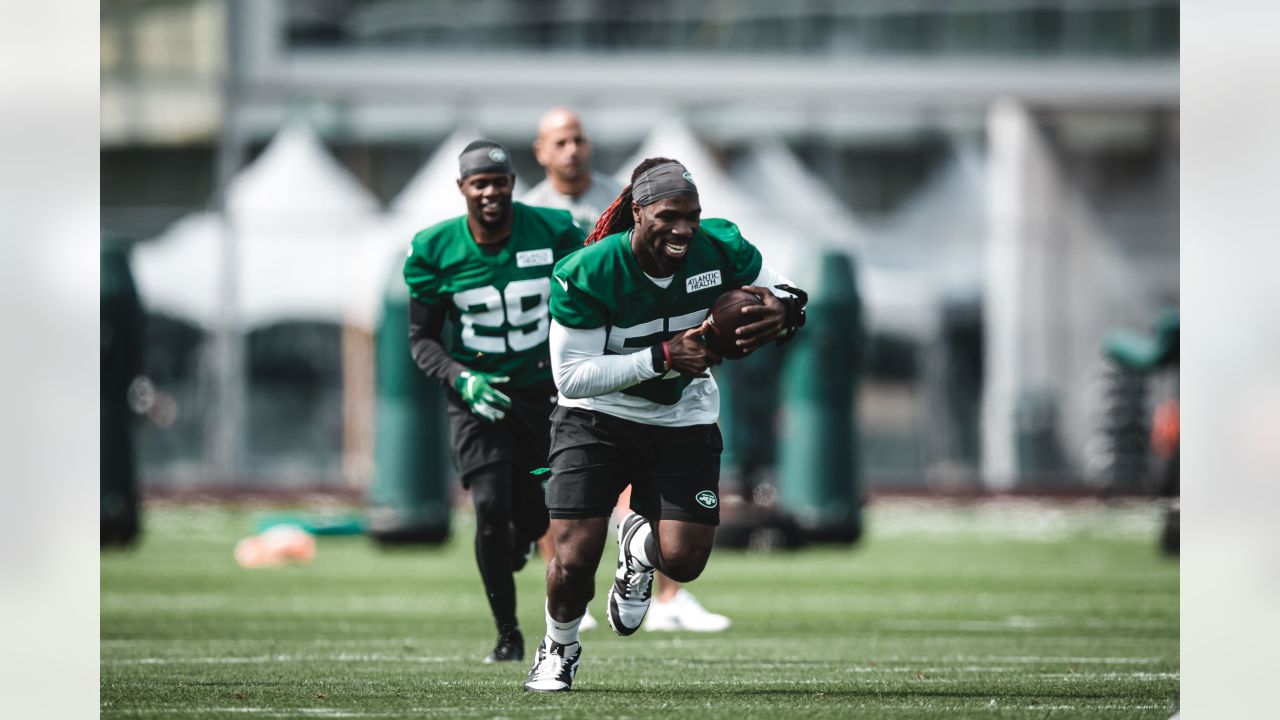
(582, 370)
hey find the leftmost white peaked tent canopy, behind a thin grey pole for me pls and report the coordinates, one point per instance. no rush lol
(301, 231)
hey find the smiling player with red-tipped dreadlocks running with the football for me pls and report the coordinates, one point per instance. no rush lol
(637, 403)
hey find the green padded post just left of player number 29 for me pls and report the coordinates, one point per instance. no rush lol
(409, 502)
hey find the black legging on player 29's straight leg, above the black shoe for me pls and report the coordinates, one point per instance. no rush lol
(491, 494)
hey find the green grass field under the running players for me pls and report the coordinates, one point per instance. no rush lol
(990, 610)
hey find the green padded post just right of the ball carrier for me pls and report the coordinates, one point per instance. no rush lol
(820, 475)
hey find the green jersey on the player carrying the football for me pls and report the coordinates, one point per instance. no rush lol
(604, 286)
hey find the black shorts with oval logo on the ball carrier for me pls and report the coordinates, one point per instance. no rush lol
(674, 472)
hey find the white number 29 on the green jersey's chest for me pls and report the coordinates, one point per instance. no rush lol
(487, 308)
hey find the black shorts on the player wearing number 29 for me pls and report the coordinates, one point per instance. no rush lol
(522, 439)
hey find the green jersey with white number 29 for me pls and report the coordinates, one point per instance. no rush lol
(497, 303)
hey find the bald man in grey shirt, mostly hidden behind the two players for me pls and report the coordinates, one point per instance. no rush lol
(564, 151)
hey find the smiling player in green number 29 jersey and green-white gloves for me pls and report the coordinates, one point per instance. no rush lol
(490, 275)
